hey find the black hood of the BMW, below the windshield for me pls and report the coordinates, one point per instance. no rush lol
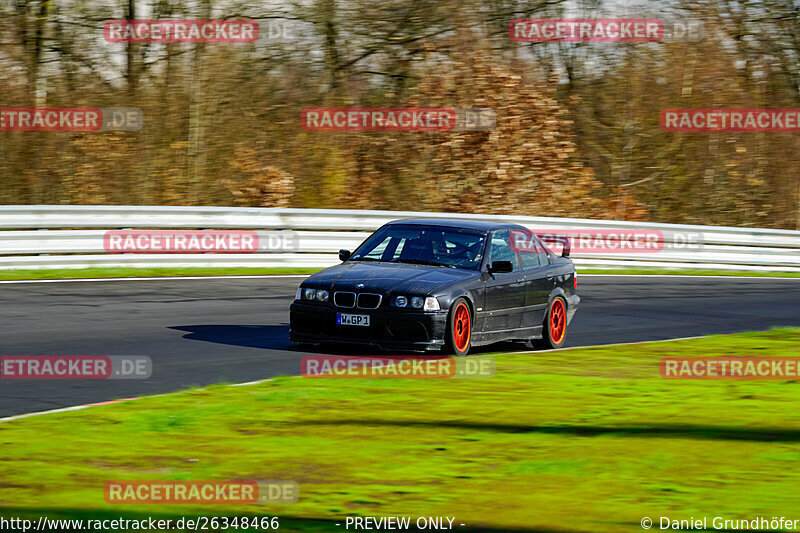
(388, 277)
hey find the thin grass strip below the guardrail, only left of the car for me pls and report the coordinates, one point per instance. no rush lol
(90, 273)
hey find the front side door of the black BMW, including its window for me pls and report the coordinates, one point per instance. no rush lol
(504, 292)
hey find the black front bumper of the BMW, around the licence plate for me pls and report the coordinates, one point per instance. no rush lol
(389, 329)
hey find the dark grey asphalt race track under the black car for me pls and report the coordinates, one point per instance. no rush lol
(199, 332)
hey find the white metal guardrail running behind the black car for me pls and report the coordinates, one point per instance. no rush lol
(44, 236)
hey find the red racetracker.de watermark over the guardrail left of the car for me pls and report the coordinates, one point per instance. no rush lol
(198, 241)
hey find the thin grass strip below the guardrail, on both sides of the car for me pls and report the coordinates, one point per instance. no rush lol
(89, 273)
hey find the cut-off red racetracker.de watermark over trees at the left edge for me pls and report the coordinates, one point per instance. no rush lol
(71, 119)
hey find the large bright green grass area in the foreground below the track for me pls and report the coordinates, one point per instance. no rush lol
(590, 439)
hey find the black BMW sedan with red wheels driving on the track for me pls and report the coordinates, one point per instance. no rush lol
(440, 284)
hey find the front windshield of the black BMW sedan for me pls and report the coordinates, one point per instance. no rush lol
(424, 245)
